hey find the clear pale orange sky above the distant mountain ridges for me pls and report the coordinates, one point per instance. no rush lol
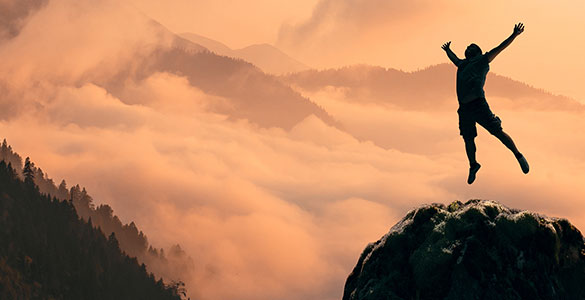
(399, 34)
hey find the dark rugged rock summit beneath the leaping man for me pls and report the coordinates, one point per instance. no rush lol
(477, 250)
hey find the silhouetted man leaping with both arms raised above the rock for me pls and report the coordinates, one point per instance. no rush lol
(473, 108)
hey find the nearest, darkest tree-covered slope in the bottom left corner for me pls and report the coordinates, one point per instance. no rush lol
(48, 252)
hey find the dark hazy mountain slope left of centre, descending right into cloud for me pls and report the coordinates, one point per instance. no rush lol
(256, 96)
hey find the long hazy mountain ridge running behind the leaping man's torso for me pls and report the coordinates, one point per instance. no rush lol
(428, 89)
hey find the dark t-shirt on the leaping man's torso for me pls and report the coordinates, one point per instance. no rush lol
(471, 75)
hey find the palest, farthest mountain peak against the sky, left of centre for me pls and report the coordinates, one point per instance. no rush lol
(267, 57)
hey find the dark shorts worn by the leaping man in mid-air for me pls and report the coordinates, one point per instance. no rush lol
(477, 111)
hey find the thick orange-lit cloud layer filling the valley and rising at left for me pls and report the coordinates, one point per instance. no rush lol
(264, 213)
